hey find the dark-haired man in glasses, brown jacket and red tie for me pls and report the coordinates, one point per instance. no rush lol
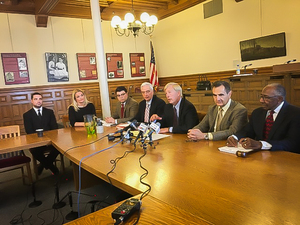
(126, 108)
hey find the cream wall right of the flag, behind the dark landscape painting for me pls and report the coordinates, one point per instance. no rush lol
(187, 43)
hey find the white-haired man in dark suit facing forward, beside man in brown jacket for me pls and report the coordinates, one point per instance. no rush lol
(150, 105)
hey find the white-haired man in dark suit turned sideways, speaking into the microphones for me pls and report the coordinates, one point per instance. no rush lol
(179, 115)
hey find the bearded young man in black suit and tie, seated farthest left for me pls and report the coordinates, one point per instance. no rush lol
(39, 117)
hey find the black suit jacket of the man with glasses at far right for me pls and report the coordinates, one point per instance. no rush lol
(284, 134)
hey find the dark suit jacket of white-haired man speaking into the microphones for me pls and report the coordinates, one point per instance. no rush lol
(188, 117)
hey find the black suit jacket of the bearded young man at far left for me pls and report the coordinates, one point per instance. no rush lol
(32, 121)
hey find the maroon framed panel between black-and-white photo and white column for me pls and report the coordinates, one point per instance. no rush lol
(87, 66)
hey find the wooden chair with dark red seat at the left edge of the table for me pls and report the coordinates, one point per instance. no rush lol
(14, 160)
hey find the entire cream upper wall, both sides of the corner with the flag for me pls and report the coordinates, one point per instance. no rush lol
(185, 43)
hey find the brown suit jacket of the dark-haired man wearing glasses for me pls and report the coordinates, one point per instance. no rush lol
(131, 108)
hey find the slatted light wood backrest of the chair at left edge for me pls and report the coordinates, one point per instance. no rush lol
(9, 132)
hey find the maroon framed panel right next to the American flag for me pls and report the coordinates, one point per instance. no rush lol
(137, 64)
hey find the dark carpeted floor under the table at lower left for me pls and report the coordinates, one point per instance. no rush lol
(16, 197)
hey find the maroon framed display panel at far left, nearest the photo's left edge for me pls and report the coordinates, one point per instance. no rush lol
(15, 68)
